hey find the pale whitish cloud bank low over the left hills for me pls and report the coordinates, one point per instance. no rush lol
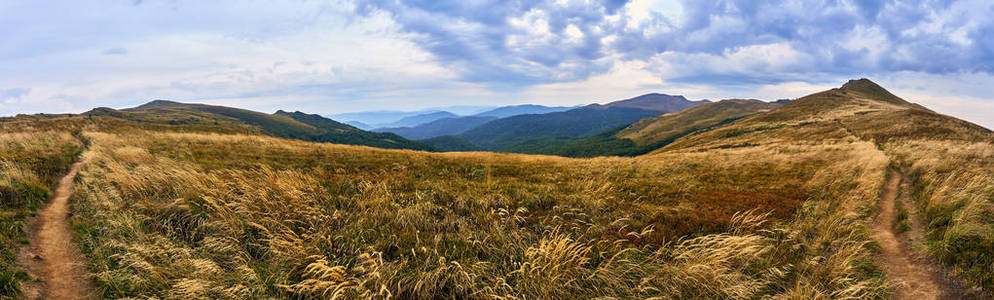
(356, 55)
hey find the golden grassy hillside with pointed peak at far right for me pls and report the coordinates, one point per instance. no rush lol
(949, 159)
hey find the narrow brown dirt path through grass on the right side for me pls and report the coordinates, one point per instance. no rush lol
(914, 279)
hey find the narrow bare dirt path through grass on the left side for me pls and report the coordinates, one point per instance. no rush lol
(52, 256)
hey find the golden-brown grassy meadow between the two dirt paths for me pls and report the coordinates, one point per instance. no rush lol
(201, 215)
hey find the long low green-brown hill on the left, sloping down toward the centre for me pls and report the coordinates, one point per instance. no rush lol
(296, 125)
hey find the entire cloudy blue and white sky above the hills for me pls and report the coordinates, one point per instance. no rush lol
(344, 56)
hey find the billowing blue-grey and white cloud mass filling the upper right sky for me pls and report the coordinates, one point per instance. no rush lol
(531, 42)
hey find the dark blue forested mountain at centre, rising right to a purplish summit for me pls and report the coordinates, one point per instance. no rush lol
(544, 133)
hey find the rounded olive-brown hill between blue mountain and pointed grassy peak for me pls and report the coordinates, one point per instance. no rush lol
(652, 133)
